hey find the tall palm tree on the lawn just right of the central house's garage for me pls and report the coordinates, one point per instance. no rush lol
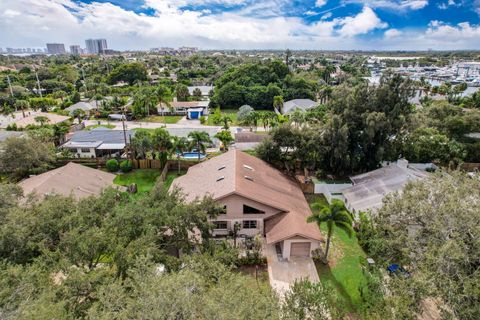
(334, 214)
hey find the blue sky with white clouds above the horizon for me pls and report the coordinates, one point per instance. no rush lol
(245, 24)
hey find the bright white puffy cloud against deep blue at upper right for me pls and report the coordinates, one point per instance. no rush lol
(362, 23)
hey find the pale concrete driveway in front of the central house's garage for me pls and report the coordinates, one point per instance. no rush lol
(282, 274)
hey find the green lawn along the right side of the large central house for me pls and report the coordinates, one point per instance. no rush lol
(344, 270)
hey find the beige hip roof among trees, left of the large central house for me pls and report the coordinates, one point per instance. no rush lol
(71, 179)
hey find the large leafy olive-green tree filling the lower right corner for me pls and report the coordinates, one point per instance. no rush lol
(431, 229)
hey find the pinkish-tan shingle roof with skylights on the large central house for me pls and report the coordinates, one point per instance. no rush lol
(236, 172)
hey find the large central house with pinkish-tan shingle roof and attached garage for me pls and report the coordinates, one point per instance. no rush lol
(258, 197)
